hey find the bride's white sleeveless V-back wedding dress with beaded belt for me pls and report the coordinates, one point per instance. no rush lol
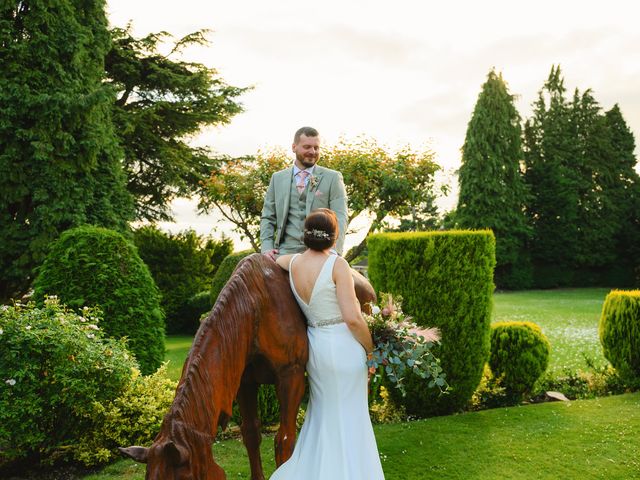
(336, 441)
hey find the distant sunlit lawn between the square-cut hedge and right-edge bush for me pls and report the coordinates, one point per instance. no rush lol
(569, 318)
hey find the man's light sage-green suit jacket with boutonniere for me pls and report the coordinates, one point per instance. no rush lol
(325, 190)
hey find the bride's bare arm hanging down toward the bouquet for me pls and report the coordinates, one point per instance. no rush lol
(349, 305)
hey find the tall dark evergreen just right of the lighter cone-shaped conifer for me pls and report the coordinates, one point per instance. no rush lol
(553, 180)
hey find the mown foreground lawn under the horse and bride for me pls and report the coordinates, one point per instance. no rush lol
(587, 439)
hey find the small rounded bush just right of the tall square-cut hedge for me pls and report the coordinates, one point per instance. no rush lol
(519, 356)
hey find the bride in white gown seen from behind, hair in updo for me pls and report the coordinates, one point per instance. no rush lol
(336, 441)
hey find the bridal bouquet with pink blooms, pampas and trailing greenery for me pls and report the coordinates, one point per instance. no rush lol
(400, 347)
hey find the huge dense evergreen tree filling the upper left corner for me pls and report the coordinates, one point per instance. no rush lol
(59, 158)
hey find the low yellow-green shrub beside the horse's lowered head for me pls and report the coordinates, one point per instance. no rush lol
(133, 418)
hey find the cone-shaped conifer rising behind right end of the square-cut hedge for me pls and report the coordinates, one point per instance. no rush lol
(492, 190)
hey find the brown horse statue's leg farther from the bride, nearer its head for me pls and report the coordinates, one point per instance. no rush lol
(248, 402)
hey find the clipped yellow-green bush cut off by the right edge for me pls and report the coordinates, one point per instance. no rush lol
(620, 331)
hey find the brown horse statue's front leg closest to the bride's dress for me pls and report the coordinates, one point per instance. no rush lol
(290, 390)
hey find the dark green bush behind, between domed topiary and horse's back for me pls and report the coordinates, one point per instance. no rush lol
(182, 265)
